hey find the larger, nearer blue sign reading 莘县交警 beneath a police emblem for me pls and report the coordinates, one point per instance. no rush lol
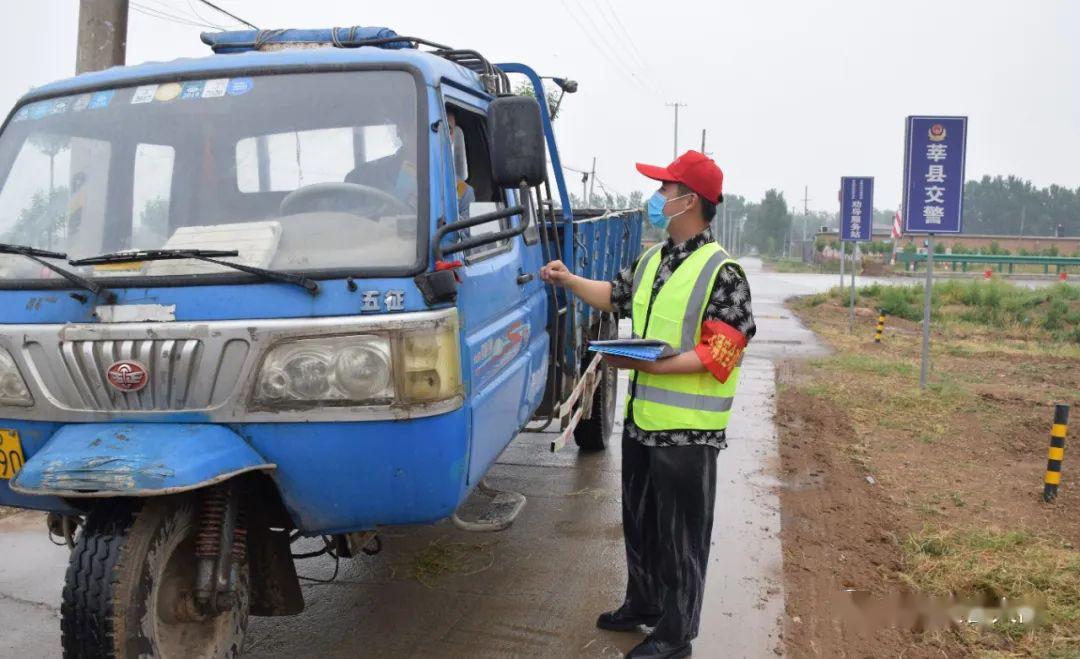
(935, 152)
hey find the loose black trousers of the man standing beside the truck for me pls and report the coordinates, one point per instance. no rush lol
(668, 502)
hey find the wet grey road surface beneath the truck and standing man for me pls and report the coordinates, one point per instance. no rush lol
(532, 591)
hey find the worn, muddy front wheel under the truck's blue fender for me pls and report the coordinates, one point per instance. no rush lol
(123, 590)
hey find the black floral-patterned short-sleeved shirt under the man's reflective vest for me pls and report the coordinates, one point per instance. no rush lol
(731, 304)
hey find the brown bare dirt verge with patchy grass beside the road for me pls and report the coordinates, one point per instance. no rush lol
(887, 489)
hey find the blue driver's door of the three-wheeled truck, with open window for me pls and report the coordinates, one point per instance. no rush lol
(503, 307)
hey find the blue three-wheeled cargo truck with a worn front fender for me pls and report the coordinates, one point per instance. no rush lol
(287, 291)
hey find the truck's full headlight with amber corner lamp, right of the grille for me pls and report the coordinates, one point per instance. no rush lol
(414, 365)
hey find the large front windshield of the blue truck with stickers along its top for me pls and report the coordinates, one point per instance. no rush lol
(306, 172)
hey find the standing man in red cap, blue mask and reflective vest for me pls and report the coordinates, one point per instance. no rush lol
(690, 293)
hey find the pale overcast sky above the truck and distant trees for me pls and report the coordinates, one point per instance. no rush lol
(793, 93)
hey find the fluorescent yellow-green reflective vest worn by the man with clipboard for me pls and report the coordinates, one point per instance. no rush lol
(695, 401)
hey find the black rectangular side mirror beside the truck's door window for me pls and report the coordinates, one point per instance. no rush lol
(518, 142)
